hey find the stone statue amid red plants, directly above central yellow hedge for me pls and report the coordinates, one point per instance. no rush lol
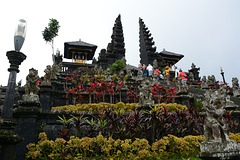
(145, 94)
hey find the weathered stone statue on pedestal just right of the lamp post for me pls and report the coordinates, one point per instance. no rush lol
(31, 88)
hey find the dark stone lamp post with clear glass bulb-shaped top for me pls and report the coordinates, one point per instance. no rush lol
(15, 59)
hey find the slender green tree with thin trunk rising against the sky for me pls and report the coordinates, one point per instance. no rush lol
(51, 32)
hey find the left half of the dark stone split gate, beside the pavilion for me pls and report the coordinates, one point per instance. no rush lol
(116, 48)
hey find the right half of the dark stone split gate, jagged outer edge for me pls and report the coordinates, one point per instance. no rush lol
(147, 49)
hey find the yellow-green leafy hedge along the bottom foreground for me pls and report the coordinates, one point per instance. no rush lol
(107, 148)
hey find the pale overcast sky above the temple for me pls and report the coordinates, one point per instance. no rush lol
(206, 32)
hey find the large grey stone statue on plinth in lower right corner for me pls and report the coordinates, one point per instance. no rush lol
(217, 143)
